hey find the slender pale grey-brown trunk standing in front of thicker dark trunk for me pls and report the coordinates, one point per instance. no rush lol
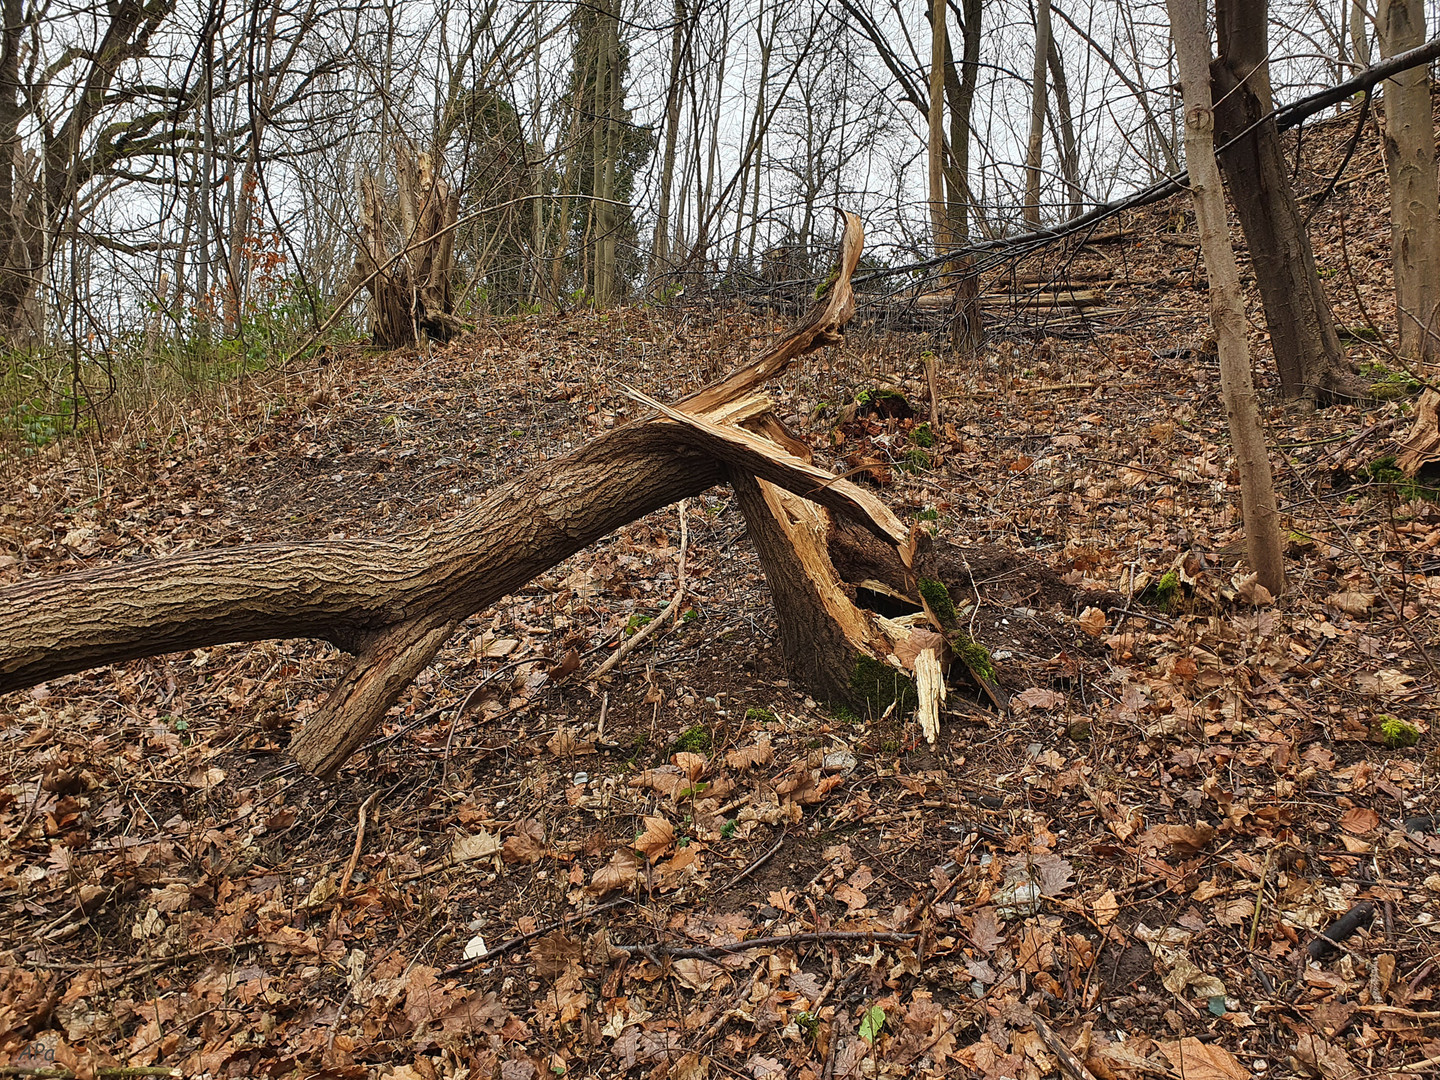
(1262, 521)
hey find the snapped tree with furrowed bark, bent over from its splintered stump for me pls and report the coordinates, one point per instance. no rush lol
(395, 604)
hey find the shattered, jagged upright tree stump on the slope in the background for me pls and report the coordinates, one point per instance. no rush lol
(410, 296)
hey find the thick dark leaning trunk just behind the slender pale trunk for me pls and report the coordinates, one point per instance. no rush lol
(1302, 332)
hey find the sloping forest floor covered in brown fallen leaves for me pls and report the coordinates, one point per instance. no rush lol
(1135, 860)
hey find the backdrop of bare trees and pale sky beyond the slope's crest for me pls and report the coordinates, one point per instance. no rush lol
(189, 189)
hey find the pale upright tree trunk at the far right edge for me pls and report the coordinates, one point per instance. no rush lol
(1415, 218)
